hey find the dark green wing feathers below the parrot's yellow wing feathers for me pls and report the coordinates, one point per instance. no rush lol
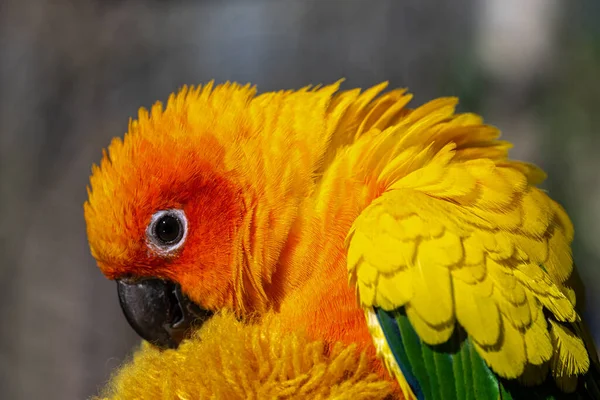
(455, 371)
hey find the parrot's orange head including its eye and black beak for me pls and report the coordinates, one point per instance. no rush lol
(171, 207)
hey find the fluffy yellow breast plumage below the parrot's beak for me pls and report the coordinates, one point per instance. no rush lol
(228, 359)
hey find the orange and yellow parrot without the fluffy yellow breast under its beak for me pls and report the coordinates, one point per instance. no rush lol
(406, 233)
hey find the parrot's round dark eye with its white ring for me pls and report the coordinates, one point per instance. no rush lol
(167, 231)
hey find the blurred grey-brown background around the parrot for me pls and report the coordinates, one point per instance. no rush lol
(73, 72)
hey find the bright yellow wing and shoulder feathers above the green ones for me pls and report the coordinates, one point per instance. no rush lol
(456, 233)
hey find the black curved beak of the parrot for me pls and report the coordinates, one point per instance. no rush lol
(158, 311)
